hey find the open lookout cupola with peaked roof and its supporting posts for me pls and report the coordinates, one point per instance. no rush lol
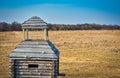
(34, 23)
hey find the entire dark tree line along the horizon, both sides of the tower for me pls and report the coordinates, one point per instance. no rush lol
(15, 26)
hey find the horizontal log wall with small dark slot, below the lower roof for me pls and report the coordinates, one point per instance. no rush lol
(45, 69)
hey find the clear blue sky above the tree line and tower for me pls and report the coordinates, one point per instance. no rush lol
(62, 11)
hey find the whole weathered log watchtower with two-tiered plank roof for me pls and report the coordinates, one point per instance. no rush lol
(34, 58)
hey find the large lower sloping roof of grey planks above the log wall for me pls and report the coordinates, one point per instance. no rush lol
(34, 50)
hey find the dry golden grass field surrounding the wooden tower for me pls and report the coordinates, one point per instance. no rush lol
(84, 54)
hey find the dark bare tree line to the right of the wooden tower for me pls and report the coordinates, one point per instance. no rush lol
(83, 27)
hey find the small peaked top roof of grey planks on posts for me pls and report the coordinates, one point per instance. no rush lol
(34, 23)
